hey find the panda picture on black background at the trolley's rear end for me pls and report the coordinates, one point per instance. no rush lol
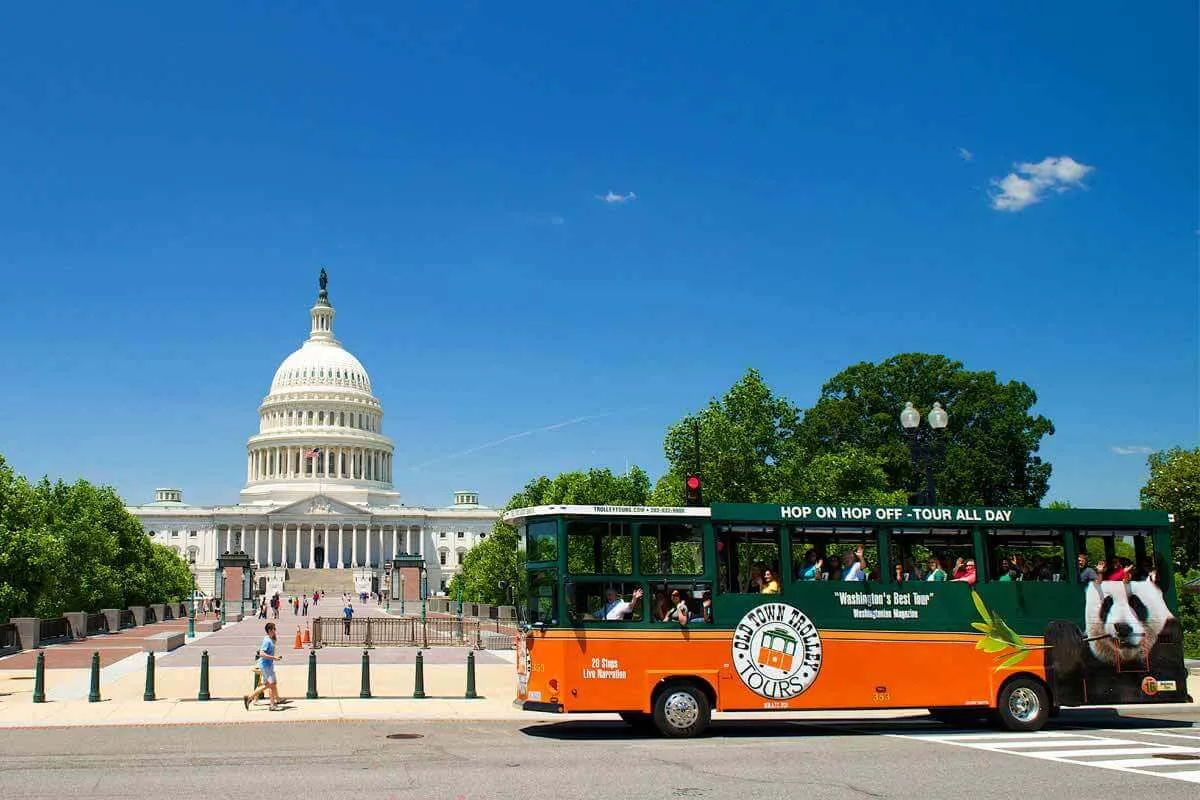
(1131, 649)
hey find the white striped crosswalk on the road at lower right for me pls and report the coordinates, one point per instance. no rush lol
(1153, 751)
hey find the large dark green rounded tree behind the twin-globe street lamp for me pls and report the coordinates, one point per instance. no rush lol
(991, 446)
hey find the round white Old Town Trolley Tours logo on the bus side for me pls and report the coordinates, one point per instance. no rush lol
(777, 651)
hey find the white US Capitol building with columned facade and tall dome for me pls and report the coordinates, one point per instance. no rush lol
(319, 509)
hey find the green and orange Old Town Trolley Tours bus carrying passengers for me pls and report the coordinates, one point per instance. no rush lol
(665, 615)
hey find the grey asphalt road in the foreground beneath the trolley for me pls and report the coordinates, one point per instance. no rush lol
(453, 761)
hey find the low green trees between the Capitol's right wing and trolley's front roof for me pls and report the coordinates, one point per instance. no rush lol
(497, 558)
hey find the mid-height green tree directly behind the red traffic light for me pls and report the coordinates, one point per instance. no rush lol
(747, 442)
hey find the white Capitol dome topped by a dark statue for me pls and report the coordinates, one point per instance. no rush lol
(321, 428)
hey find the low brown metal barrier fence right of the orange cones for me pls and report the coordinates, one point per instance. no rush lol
(410, 631)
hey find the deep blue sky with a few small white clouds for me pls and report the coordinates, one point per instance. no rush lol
(604, 213)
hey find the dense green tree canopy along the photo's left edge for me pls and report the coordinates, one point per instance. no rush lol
(75, 548)
